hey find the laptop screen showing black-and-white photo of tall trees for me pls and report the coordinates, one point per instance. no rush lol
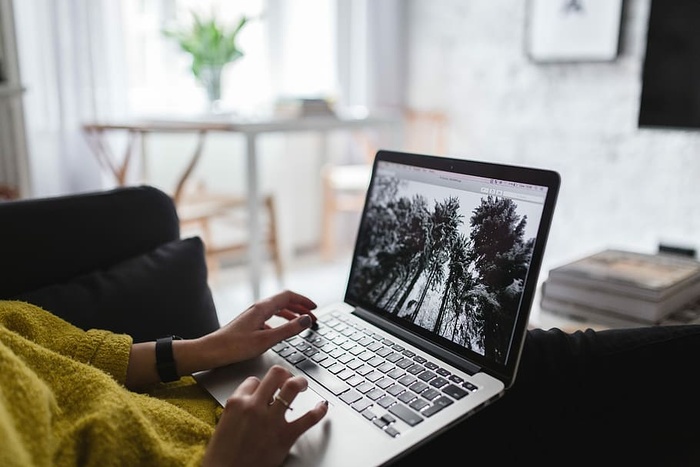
(450, 250)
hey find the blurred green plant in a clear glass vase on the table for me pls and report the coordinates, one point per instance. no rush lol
(212, 45)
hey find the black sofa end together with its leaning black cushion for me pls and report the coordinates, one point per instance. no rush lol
(111, 260)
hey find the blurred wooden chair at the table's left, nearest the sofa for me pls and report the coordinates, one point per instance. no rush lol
(220, 219)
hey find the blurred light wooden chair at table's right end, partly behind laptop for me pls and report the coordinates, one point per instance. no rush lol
(344, 186)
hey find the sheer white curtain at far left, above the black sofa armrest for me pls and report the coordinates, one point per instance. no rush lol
(71, 63)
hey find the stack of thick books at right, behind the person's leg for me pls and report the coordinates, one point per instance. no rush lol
(621, 288)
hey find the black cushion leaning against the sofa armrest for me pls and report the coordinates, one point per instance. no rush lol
(160, 293)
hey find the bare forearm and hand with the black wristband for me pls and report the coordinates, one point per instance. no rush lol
(245, 337)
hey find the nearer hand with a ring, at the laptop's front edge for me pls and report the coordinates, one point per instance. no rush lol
(253, 430)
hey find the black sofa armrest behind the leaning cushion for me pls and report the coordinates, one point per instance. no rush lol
(48, 240)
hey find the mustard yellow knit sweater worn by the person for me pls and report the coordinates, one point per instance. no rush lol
(63, 400)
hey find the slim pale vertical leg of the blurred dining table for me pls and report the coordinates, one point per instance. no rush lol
(254, 228)
